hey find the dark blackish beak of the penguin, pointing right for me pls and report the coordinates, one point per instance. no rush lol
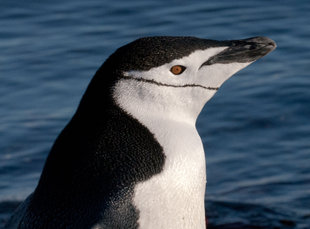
(243, 51)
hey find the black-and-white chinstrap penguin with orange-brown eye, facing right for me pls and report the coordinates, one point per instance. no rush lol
(131, 156)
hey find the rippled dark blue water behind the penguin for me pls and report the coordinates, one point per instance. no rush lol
(256, 129)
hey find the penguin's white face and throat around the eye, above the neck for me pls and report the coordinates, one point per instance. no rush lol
(181, 97)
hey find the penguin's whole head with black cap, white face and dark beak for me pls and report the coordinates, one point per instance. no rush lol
(176, 76)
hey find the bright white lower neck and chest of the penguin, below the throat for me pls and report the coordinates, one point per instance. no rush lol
(175, 197)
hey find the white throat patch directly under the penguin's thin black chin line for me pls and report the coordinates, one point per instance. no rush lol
(160, 103)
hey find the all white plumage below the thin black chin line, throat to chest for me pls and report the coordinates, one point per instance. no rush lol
(184, 174)
